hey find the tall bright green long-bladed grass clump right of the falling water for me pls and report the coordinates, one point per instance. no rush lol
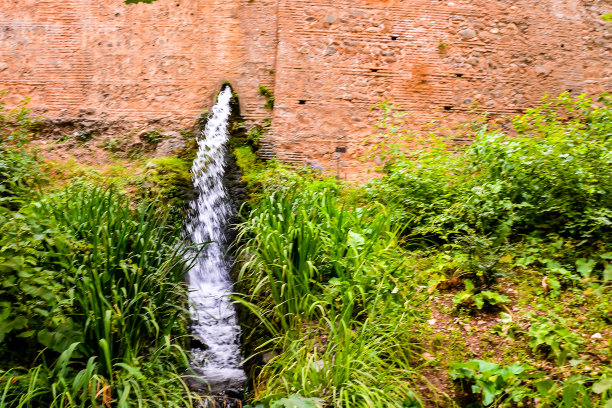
(324, 278)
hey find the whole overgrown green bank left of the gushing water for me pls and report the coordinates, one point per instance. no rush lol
(93, 303)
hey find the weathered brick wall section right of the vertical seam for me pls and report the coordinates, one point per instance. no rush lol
(338, 58)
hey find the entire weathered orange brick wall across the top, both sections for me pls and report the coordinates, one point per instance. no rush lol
(327, 61)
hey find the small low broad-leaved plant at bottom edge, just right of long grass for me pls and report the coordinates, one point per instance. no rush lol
(492, 382)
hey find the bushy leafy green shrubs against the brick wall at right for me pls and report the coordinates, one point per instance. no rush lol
(554, 175)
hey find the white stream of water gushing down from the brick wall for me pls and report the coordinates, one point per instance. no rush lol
(214, 321)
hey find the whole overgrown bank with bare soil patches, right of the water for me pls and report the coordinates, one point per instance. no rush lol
(466, 276)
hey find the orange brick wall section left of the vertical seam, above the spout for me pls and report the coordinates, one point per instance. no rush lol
(157, 64)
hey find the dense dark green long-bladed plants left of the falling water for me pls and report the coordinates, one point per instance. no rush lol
(94, 288)
